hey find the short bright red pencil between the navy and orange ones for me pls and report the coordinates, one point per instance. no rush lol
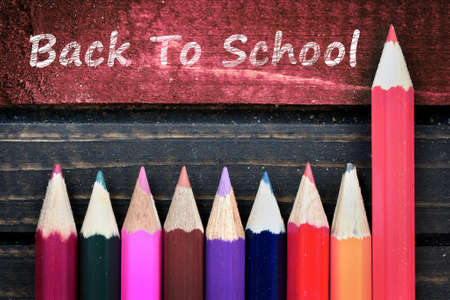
(308, 240)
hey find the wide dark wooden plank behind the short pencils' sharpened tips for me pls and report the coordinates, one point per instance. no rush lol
(28, 152)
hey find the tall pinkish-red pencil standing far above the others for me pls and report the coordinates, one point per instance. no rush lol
(393, 176)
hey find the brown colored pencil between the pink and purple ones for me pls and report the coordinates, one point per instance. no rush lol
(183, 245)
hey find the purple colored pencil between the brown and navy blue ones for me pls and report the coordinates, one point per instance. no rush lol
(225, 246)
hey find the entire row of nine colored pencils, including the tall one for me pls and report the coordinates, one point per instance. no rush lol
(264, 261)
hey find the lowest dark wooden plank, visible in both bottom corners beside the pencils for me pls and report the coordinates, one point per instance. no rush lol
(17, 266)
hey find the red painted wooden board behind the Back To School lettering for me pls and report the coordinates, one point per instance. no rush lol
(422, 26)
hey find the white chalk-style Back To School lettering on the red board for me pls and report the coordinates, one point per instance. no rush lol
(43, 53)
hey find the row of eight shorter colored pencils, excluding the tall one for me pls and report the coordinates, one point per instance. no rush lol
(146, 261)
